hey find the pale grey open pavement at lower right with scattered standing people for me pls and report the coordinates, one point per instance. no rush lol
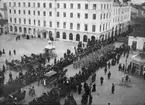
(131, 94)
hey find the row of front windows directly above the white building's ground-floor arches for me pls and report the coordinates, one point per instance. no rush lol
(71, 25)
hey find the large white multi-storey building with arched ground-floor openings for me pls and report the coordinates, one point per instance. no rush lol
(70, 20)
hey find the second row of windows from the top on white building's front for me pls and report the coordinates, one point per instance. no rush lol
(71, 15)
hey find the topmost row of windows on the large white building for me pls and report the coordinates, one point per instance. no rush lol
(59, 5)
